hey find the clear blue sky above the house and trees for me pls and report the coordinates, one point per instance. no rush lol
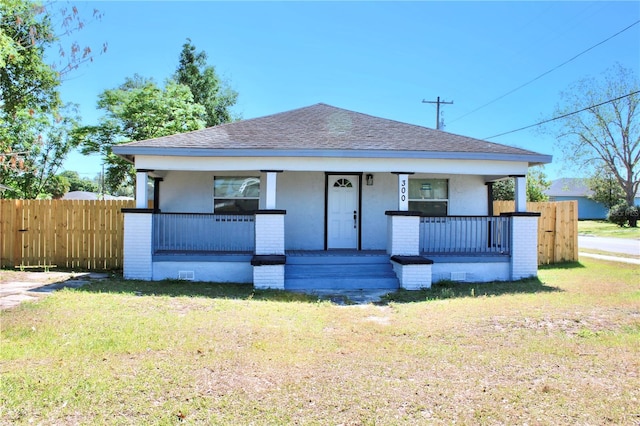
(378, 58)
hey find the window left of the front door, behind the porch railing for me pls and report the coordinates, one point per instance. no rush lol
(236, 194)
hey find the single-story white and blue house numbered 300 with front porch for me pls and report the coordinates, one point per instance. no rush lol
(321, 197)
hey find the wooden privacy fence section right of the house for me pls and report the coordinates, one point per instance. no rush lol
(557, 229)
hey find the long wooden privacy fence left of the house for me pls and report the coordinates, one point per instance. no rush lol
(71, 234)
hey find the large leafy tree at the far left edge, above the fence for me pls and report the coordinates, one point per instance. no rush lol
(34, 127)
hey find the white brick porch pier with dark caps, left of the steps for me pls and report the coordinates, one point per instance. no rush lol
(269, 259)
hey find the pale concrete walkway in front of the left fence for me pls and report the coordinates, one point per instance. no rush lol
(35, 285)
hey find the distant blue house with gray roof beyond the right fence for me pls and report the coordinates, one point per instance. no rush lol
(569, 189)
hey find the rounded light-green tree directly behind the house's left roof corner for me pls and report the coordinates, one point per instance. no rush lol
(139, 109)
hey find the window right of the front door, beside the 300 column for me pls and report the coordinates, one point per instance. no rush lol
(429, 196)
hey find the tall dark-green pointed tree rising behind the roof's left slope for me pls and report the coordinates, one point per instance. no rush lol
(205, 85)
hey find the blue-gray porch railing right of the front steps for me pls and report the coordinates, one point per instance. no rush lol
(476, 235)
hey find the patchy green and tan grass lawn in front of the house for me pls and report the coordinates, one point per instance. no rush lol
(561, 349)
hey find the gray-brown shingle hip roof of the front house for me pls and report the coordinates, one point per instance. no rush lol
(322, 127)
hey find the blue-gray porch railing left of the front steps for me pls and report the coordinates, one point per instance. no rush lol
(194, 232)
